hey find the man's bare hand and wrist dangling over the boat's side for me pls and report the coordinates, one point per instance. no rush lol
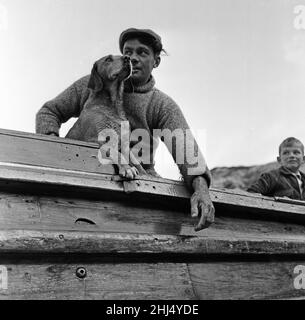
(201, 204)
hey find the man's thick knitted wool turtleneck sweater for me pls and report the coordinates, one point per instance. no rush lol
(147, 108)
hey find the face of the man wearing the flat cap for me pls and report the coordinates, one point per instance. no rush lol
(143, 60)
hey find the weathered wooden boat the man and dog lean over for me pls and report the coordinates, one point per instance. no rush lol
(71, 229)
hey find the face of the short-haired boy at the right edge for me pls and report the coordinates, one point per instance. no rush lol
(291, 157)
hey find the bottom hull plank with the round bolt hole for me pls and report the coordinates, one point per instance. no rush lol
(145, 281)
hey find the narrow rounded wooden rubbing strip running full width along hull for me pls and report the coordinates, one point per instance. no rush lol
(51, 242)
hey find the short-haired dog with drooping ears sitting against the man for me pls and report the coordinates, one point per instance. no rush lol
(104, 110)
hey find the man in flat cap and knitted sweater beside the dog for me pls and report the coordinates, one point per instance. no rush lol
(146, 108)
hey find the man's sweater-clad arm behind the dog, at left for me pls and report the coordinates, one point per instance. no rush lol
(66, 105)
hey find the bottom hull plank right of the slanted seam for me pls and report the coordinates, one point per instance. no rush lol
(245, 280)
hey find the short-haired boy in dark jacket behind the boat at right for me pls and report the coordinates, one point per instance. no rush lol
(288, 180)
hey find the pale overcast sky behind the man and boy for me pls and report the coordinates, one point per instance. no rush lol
(235, 67)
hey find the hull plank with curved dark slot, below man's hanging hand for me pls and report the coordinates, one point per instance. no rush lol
(54, 213)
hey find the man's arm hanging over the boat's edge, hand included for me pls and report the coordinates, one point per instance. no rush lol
(193, 167)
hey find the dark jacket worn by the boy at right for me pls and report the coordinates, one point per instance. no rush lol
(279, 182)
